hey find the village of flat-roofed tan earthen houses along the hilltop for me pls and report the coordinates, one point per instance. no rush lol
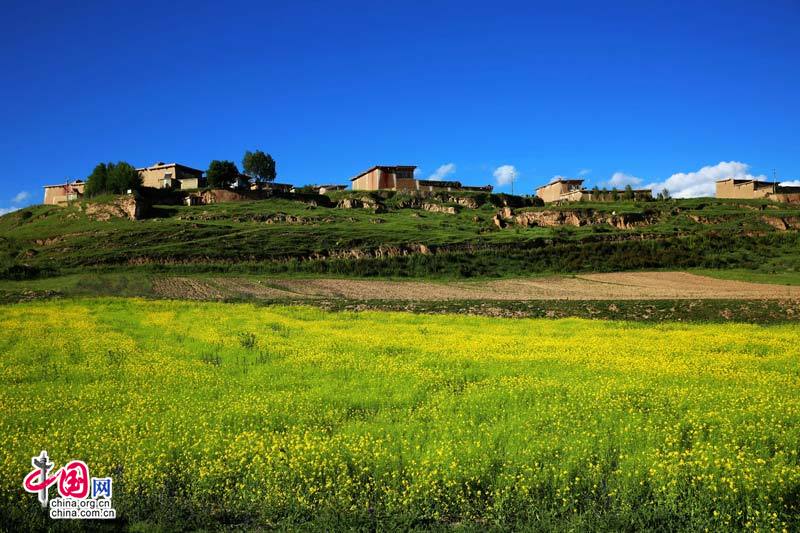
(194, 185)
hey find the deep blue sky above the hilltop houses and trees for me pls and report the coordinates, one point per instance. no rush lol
(615, 92)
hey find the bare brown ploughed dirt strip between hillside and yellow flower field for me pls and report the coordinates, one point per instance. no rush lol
(614, 286)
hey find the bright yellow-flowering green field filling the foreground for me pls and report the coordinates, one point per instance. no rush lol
(236, 416)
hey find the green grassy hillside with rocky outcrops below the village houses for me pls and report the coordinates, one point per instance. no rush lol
(396, 235)
